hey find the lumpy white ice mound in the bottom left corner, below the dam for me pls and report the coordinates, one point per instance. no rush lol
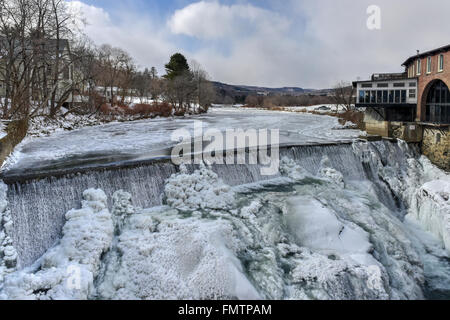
(68, 270)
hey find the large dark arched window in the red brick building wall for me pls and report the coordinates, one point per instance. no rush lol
(438, 103)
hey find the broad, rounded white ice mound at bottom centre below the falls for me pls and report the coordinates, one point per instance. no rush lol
(161, 255)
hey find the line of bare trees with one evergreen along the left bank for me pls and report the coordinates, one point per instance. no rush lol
(47, 65)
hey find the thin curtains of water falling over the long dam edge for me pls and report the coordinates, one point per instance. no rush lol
(38, 207)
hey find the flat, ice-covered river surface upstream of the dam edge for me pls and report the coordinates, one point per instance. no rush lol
(147, 139)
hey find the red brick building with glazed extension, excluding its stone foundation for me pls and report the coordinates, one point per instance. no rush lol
(419, 94)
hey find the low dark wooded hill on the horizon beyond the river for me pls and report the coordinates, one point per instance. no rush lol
(227, 93)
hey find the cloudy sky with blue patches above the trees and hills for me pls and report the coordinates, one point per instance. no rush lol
(304, 43)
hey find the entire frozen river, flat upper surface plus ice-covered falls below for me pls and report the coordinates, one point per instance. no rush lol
(353, 220)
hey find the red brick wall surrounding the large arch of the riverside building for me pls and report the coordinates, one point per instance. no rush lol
(425, 80)
